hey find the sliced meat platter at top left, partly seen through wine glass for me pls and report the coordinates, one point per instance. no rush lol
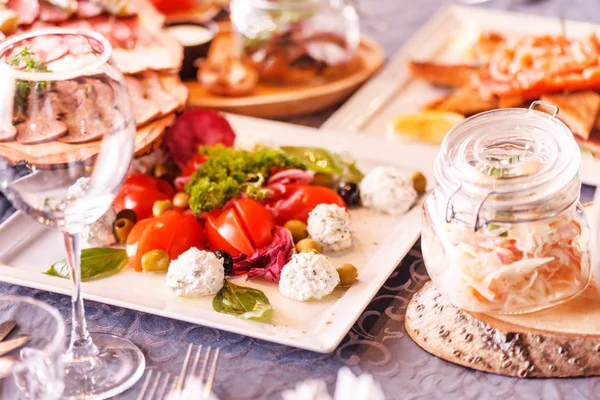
(149, 58)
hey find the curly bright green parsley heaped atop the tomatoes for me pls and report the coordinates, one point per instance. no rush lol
(228, 173)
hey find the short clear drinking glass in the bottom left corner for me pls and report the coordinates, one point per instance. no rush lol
(35, 371)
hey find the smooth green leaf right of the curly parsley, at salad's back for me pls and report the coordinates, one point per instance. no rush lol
(325, 162)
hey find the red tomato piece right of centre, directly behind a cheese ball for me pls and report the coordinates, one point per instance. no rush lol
(299, 200)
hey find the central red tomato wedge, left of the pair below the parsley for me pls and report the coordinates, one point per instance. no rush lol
(228, 228)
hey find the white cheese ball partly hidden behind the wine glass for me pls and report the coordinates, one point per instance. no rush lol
(99, 233)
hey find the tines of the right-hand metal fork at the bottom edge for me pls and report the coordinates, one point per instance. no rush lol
(193, 369)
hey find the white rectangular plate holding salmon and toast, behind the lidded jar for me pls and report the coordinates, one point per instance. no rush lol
(446, 37)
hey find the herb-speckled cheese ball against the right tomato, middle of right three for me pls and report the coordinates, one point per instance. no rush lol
(329, 224)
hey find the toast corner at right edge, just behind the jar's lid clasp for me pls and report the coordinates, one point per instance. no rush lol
(578, 110)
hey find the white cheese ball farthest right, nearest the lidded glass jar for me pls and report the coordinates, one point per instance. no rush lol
(388, 190)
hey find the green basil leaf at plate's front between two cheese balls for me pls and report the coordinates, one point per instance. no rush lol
(242, 302)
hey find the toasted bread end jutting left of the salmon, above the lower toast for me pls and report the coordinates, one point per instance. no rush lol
(449, 75)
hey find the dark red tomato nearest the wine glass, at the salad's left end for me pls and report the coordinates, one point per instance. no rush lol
(139, 192)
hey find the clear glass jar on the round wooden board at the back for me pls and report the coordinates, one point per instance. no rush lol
(296, 41)
